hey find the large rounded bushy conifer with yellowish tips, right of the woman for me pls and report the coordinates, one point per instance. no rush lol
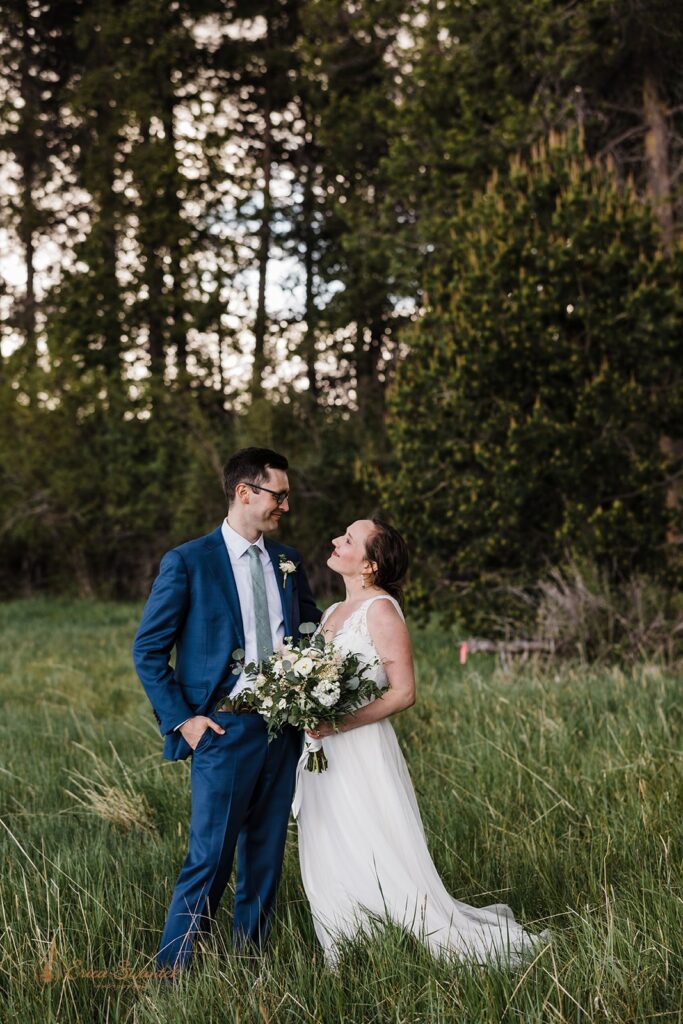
(528, 418)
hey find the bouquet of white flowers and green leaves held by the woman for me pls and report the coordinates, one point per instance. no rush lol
(305, 684)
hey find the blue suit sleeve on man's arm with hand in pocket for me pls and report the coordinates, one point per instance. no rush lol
(162, 619)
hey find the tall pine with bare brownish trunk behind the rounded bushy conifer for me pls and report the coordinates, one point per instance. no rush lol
(482, 82)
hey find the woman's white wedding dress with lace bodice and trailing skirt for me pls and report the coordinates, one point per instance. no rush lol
(363, 851)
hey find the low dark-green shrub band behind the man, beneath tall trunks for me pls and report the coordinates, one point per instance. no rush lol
(113, 497)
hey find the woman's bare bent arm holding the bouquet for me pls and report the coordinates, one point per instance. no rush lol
(393, 642)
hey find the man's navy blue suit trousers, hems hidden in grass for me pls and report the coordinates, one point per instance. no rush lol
(242, 789)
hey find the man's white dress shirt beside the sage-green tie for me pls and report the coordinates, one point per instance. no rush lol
(237, 549)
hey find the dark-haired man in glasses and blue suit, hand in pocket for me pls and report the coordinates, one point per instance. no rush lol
(214, 595)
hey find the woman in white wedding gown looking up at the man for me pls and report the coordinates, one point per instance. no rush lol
(363, 851)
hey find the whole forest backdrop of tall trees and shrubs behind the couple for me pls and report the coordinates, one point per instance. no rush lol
(430, 250)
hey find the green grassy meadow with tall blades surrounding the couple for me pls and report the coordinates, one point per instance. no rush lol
(556, 791)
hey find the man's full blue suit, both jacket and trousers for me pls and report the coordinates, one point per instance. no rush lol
(242, 786)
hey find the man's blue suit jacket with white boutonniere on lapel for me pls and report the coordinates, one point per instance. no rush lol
(194, 607)
